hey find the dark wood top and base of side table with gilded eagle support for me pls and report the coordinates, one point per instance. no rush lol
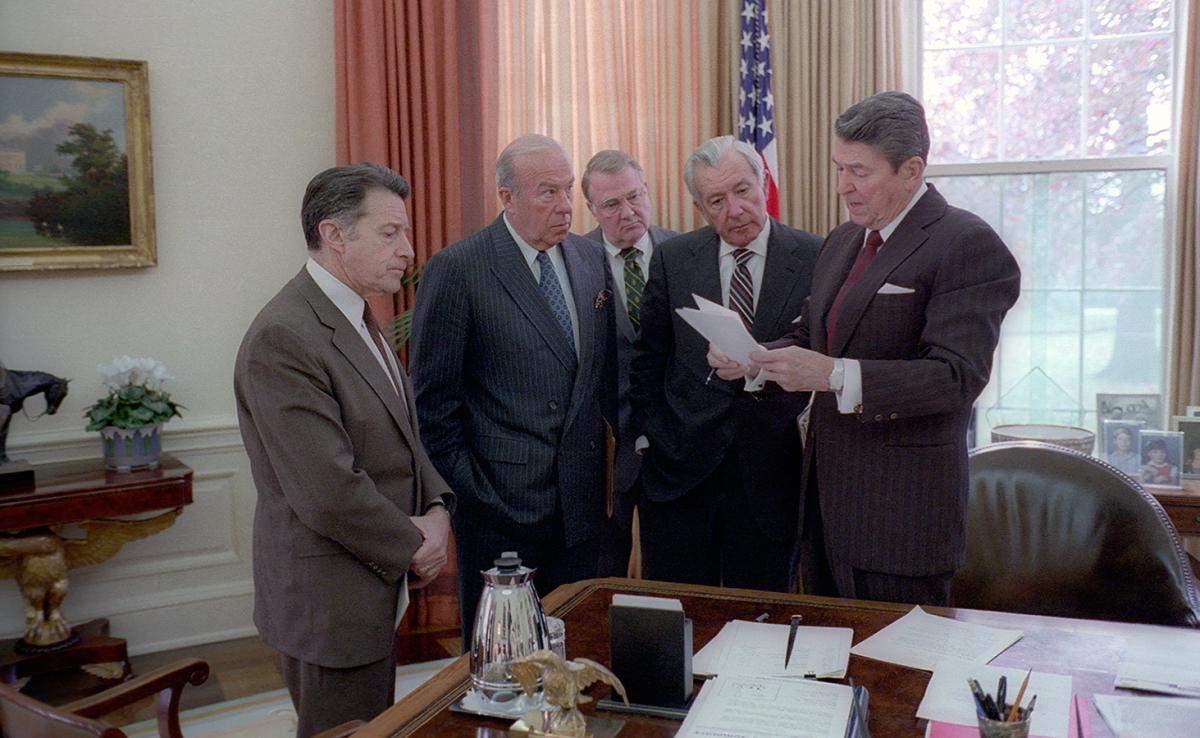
(79, 493)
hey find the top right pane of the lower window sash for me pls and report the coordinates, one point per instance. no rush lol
(1125, 231)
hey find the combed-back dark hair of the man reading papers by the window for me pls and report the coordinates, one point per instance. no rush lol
(892, 123)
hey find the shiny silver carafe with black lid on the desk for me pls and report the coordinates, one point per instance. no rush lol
(509, 626)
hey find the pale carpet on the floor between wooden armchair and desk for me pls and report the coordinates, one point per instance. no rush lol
(269, 715)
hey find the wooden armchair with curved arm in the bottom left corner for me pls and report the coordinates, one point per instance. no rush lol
(22, 717)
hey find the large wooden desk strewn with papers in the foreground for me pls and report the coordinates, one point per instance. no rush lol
(1087, 650)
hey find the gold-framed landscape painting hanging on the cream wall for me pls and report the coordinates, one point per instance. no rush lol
(75, 164)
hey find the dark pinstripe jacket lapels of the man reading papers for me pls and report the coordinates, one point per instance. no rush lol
(908, 238)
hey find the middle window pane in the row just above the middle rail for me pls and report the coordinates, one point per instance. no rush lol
(1042, 103)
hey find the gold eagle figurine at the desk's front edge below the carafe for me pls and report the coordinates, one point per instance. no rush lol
(563, 683)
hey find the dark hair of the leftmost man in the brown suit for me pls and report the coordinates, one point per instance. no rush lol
(339, 193)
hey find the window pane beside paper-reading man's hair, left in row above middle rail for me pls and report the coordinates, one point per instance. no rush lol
(963, 105)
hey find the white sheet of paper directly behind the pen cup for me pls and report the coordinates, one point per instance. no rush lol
(949, 698)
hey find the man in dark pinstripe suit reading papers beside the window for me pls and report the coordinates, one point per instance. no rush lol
(898, 340)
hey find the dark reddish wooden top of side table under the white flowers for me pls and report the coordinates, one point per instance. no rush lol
(83, 490)
